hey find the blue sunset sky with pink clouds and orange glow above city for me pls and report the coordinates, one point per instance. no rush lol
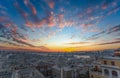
(59, 25)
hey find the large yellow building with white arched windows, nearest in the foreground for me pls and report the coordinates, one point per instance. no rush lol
(108, 67)
